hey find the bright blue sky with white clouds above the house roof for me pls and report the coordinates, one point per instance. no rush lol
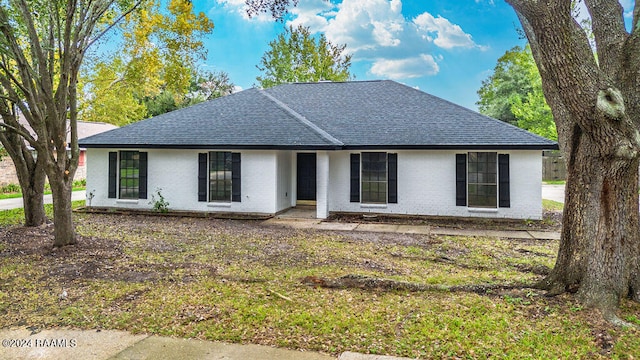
(445, 48)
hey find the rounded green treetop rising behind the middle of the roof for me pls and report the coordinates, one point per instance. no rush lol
(296, 56)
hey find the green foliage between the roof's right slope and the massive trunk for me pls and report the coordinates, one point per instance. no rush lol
(513, 93)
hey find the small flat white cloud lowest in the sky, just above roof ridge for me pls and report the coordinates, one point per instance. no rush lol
(423, 65)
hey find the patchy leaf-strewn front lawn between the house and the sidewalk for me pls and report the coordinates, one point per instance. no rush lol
(230, 280)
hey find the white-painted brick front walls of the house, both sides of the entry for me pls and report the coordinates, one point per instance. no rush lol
(426, 183)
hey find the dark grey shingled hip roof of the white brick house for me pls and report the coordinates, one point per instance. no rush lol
(324, 115)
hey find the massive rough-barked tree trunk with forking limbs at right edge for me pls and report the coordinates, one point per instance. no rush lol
(595, 100)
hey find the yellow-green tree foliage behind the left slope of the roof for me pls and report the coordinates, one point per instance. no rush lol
(154, 72)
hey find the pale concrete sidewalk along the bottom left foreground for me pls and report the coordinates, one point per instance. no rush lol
(62, 344)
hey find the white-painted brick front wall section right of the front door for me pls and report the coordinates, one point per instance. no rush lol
(426, 186)
